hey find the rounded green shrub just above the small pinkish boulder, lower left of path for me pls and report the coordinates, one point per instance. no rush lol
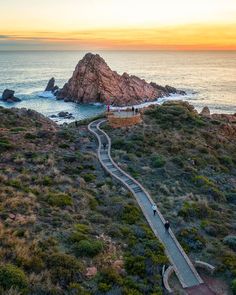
(88, 248)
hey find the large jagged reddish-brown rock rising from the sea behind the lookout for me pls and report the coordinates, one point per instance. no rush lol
(94, 81)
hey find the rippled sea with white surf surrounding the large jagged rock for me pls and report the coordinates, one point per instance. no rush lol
(209, 78)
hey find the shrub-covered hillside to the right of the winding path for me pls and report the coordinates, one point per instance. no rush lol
(188, 164)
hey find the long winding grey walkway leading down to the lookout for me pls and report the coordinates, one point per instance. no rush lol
(183, 267)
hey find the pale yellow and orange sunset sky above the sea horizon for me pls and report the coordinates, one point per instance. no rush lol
(118, 25)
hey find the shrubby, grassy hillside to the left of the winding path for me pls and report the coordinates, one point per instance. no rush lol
(65, 227)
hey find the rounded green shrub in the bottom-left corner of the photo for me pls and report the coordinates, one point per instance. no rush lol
(13, 277)
